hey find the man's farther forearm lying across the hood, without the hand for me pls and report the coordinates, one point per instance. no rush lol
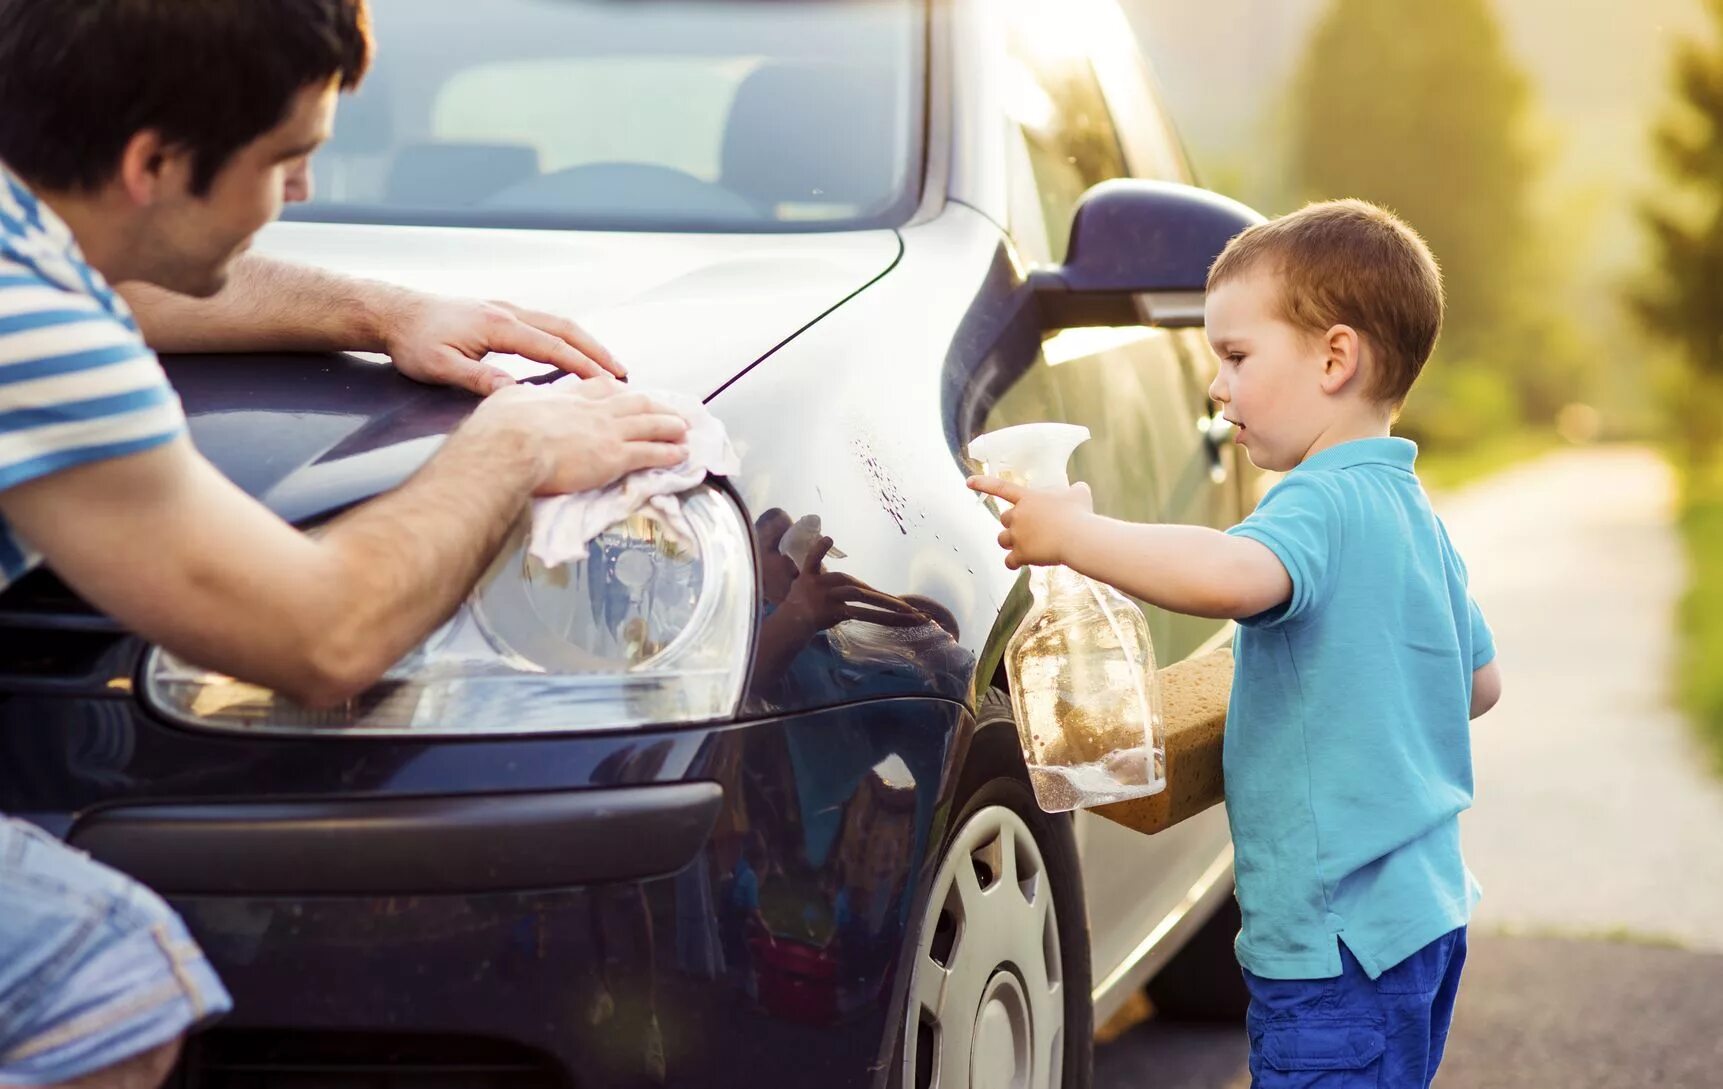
(268, 306)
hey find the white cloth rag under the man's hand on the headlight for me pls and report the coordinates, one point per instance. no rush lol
(566, 525)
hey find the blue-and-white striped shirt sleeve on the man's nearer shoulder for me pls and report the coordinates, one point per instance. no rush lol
(77, 385)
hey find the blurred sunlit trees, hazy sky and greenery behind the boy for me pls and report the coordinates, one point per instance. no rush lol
(1564, 159)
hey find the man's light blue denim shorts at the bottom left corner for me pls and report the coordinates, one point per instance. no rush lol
(94, 968)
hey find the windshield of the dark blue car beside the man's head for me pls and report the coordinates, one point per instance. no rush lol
(631, 115)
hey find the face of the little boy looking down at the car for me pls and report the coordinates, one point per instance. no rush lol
(1271, 373)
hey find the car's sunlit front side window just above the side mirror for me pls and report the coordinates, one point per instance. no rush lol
(1057, 104)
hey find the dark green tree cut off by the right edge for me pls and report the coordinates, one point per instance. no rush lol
(1683, 297)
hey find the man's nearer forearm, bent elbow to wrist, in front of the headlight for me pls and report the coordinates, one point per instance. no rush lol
(404, 564)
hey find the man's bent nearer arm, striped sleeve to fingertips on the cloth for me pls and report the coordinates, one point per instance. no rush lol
(171, 549)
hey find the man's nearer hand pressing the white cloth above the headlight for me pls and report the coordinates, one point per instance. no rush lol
(587, 437)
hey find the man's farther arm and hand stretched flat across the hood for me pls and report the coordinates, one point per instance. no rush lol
(273, 306)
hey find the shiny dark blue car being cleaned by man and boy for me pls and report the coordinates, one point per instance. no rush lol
(738, 804)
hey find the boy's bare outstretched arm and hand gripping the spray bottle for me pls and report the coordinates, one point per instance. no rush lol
(1186, 569)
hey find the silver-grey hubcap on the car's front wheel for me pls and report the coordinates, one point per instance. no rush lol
(986, 995)
